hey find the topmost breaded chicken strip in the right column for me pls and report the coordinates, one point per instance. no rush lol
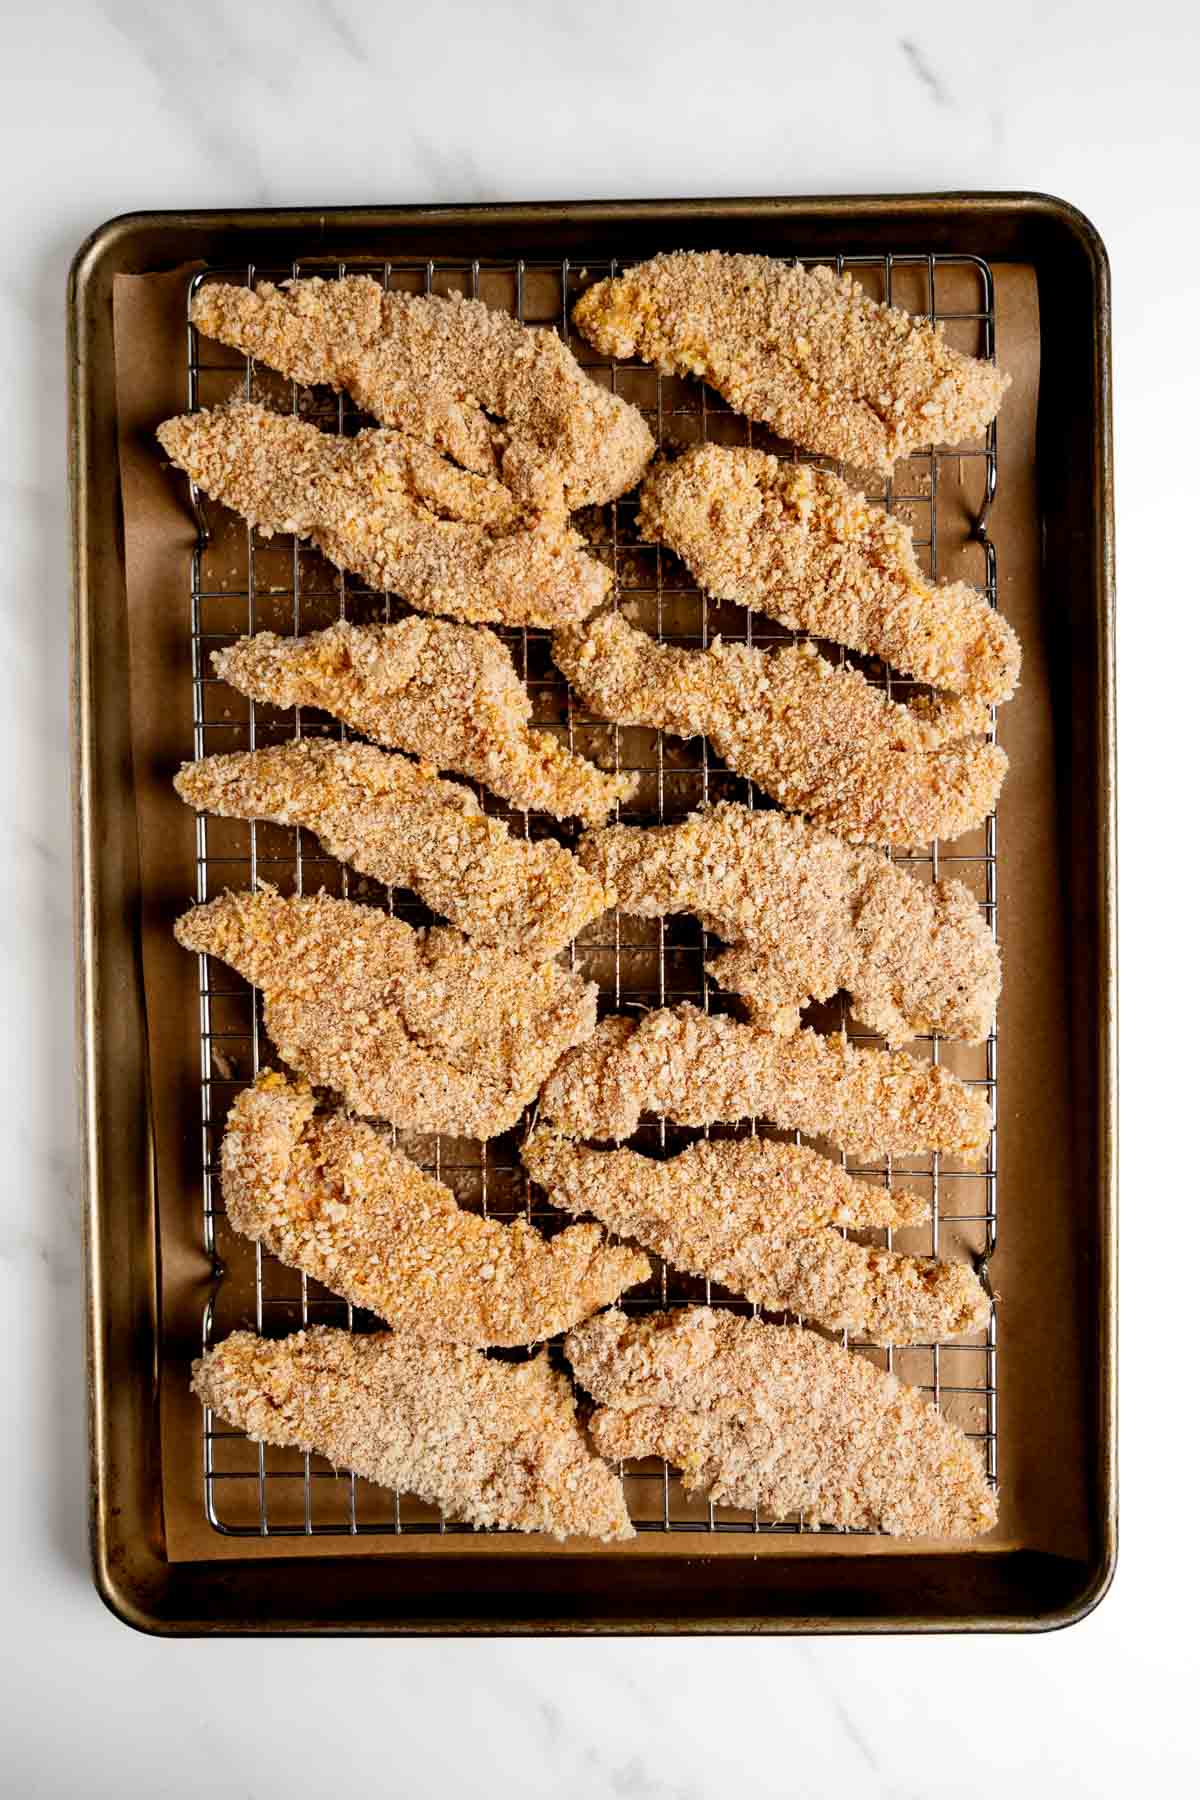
(800, 348)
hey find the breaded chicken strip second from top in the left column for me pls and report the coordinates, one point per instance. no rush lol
(393, 512)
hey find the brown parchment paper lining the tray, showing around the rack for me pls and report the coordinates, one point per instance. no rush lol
(1041, 1428)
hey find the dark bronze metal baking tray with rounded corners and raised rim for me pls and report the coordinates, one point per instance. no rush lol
(677, 1581)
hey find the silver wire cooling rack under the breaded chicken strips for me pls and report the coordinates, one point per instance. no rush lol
(246, 584)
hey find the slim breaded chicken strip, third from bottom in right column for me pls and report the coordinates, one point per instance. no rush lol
(708, 1070)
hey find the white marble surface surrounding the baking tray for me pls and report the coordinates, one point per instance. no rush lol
(102, 111)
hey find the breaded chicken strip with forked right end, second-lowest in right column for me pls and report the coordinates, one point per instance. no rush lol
(744, 1214)
